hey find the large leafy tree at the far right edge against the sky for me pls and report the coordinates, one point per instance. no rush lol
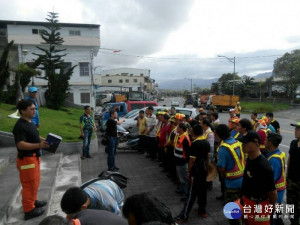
(287, 67)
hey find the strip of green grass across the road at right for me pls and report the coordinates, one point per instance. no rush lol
(262, 107)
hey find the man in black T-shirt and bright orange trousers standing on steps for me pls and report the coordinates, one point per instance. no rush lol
(29, 143)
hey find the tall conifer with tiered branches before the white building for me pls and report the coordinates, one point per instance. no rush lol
(51, 61)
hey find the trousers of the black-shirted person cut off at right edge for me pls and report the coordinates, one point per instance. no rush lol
(293, 197)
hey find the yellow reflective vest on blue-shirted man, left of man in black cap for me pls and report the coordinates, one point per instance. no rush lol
(239, 162)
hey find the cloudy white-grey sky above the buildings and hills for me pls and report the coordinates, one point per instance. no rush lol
(178, 38)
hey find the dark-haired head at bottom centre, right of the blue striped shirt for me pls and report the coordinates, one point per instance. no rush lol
(143, 208)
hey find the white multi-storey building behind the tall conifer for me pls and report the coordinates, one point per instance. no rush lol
(81, 41)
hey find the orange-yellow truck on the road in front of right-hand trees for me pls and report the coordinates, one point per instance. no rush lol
(224, 102)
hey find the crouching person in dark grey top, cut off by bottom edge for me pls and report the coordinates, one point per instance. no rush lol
(86, 217)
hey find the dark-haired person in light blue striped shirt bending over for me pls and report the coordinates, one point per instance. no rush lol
(101, 194)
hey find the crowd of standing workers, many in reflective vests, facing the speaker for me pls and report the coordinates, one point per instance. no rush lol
(251, 167)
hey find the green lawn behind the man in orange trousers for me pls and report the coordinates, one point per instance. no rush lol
(63, 122)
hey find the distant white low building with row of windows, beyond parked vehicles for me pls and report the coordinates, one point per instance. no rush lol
(136, 79)
